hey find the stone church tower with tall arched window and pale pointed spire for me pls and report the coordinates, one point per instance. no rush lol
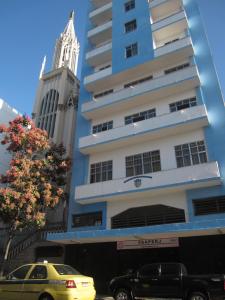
(57, 96)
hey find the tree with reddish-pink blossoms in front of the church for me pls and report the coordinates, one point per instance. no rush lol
(35, 178)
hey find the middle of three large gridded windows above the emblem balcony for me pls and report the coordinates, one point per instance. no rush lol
(147, 162)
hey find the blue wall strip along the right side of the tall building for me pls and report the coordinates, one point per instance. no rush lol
(211, 96)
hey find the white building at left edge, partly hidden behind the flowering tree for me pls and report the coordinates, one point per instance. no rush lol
(7, 114)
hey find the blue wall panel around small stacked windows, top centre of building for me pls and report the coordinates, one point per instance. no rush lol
(142, 35)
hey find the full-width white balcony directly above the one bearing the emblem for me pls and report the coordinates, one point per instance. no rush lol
(158, 127)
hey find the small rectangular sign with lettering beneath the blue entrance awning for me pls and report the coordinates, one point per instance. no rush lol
(151, 243)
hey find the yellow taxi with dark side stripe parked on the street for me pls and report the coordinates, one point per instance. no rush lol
(46, 281)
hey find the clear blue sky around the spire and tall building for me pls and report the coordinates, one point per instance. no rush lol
(29, 28)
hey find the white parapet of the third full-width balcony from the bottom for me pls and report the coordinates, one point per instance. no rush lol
(129, 93)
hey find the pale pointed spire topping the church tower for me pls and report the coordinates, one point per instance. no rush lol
(67, 47)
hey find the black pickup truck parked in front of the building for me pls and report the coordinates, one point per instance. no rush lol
(167, 280)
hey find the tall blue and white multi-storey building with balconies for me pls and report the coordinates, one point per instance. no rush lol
(148, 180)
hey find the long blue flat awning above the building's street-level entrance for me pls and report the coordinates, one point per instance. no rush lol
(206, 227)
